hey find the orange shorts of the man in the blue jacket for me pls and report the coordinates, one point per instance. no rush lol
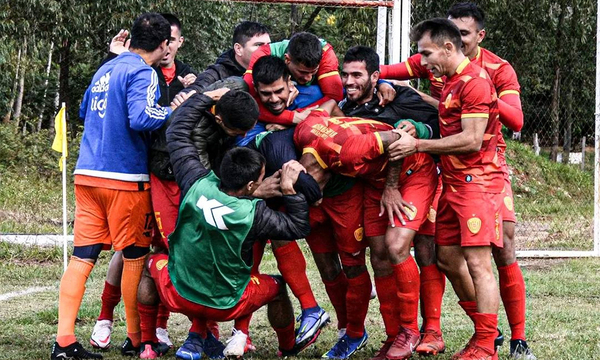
(112, 217)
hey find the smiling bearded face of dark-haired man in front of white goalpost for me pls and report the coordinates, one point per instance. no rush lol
(357, 82)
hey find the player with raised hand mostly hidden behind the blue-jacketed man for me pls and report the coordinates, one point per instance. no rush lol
(173, 76)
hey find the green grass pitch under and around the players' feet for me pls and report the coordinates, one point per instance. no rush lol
(563, 310)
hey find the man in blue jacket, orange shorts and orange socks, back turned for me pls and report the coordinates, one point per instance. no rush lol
(111, 178)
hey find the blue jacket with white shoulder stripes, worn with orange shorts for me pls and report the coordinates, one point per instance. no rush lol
(119, 110)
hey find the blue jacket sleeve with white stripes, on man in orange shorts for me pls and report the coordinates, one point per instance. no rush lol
(142, 95)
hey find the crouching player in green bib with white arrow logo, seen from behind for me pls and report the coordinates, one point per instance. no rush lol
(208, 273)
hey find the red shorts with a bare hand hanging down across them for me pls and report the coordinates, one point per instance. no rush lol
(416, 188)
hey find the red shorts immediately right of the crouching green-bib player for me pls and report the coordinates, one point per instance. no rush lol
(336, 224)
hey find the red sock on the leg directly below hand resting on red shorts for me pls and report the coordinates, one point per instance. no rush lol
(407, 283)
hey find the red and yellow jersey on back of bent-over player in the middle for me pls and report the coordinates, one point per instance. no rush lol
(350, 146)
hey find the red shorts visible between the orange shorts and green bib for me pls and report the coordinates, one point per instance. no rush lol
(165, 201)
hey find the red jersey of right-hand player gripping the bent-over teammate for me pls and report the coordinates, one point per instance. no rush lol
(469, 93)
